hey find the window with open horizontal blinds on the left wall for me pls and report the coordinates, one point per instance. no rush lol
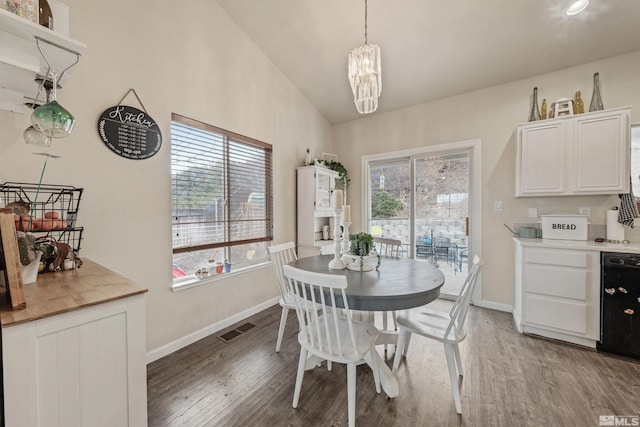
(222, 207)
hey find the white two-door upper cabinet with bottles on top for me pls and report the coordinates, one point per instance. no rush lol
(585, 154)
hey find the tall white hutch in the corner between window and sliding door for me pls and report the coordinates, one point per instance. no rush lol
(315, 185)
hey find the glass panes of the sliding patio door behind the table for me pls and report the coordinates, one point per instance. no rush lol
(424, 201)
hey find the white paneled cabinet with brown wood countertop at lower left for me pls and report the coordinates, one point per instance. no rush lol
(75, 356)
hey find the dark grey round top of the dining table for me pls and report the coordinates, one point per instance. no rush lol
(399, 284)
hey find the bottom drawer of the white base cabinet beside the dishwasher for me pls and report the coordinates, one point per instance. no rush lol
(561, 315)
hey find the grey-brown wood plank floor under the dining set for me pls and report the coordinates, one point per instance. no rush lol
(510, 380)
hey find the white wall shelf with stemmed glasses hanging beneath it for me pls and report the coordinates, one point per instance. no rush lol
(21, 61)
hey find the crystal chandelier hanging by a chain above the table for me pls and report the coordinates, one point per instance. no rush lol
(365, 73)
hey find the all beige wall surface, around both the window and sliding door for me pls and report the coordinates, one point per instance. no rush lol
(193, 60)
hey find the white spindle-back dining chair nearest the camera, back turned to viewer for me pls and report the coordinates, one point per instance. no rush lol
(330, 333)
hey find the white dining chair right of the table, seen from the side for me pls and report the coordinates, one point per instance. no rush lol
(447, 328)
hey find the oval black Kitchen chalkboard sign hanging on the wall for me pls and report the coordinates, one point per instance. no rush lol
(129, 132)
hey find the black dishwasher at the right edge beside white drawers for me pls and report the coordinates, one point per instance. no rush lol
(620, 304)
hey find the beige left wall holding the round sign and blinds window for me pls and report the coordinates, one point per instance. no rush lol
(183, 57)
